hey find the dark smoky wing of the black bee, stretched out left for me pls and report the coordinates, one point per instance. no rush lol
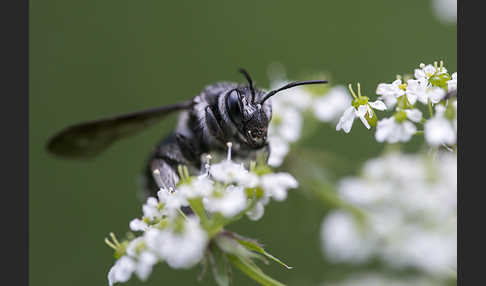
(88, 139)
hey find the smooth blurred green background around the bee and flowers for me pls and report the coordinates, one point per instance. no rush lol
(89, 59)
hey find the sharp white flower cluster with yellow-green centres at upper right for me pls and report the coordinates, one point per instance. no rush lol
(430, 87)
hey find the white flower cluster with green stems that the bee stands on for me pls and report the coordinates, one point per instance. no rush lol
(179, 225)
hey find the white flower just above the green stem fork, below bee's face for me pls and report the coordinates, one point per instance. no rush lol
(229, 202)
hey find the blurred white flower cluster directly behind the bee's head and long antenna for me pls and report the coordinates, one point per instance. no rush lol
(288, 111)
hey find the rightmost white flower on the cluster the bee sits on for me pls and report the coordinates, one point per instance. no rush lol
(276, 185)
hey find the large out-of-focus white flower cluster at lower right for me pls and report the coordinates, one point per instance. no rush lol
(408, 209)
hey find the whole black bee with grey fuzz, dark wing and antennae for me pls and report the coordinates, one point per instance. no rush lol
(222, 112)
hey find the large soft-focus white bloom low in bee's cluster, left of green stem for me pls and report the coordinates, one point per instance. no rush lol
(182, 248)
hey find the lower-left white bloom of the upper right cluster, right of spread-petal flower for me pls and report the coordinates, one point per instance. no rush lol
(391, 131)
